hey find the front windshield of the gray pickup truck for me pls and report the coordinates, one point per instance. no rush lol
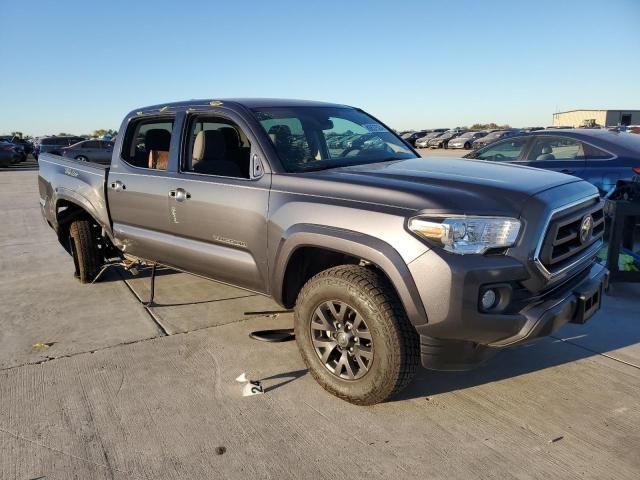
(317, 138)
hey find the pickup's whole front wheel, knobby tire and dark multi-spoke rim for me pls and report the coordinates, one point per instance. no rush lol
(354, 335)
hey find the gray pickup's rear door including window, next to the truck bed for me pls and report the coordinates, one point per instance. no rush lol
(138, 195)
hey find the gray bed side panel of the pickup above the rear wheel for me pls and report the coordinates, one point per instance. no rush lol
(63, 181)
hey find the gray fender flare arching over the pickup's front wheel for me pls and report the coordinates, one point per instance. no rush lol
(366, 247)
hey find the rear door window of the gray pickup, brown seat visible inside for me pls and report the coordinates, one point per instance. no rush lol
(146, 143)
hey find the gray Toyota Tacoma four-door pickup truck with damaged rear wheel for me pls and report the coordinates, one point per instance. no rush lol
(389, 260)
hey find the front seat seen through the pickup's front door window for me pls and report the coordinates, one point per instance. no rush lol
(210, 155)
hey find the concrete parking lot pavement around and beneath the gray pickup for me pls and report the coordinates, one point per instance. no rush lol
(93, 385)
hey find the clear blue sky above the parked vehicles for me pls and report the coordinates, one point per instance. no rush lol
(79, 65)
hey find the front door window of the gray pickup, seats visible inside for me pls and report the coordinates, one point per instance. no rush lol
(217, 146)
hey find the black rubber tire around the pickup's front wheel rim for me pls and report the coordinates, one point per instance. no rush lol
(396, 346)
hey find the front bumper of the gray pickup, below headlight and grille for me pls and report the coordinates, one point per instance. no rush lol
(452, 303)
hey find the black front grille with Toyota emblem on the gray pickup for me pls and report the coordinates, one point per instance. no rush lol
(568, 239)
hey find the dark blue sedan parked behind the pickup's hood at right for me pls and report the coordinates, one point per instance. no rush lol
(600, 157)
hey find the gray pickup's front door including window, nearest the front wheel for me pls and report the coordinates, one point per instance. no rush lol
(217, 204)
